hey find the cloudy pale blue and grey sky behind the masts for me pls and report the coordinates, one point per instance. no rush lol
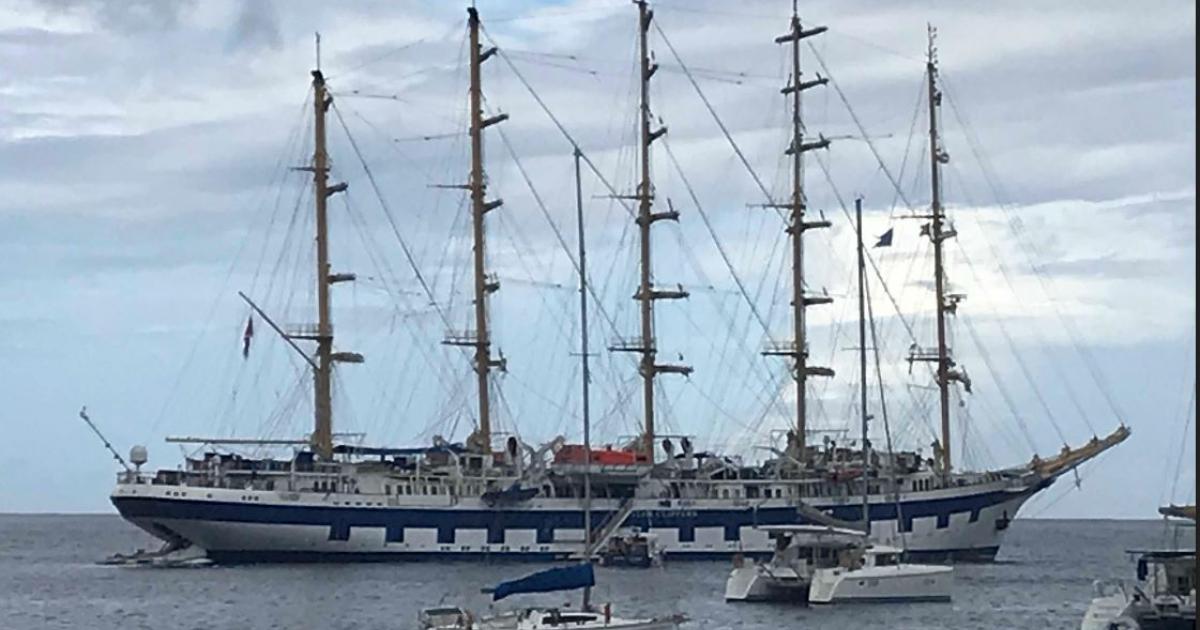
(145, 181)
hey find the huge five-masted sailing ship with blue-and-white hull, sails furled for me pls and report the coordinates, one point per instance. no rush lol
(483, 500)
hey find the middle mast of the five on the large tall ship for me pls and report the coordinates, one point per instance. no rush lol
(646, 292)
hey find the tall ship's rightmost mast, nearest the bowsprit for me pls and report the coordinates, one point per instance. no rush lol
(939, 232)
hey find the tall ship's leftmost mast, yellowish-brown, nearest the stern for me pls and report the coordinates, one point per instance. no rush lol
(323, 371)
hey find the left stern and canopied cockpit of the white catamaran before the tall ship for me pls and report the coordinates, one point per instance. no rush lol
(800, 550)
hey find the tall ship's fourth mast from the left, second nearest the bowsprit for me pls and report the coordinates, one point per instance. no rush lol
(797, 349)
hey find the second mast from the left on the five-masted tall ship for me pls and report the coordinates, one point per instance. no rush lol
(485, 286)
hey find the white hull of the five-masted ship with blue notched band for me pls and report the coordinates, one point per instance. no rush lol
(269, 526)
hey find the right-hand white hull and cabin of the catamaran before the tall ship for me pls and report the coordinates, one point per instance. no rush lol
(877, 573)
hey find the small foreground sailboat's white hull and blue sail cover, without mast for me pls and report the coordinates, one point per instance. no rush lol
(586, 617)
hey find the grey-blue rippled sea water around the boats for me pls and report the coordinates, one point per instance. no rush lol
(49, 579)
